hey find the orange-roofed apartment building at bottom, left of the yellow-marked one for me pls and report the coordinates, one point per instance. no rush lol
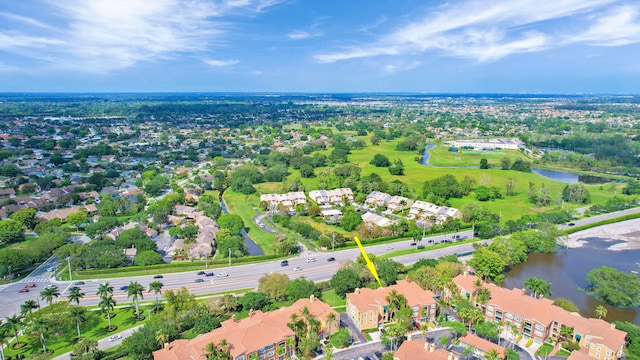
(264, 336)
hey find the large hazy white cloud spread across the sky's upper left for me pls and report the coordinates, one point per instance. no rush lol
(103, 36)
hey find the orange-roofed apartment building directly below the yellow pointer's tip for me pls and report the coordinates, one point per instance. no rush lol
(368, 308)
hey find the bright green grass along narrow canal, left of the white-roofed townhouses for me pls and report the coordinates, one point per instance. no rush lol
(247, 207)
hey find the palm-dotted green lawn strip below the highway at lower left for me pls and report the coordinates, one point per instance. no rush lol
(94, 328)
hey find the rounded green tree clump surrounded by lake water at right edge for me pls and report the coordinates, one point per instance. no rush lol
(614, 287)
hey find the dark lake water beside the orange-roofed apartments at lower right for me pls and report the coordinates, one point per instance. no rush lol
(566, 271)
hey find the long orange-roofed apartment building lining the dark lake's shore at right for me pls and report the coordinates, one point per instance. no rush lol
(539, 319)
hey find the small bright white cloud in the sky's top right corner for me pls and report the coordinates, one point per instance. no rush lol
(619, 27)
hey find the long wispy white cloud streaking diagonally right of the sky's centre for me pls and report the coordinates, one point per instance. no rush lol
(480, 30)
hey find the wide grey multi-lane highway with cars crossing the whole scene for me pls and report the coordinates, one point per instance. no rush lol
(242, 276)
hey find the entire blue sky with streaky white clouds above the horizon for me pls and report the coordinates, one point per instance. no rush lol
(498, 46)
